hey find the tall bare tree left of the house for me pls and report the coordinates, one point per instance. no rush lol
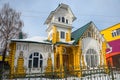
(10, 26)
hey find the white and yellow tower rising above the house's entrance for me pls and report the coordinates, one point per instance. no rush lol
(59, 24)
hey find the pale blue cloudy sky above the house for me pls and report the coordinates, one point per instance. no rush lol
(104, 13)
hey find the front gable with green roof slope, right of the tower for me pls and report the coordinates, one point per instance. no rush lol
(88, 30)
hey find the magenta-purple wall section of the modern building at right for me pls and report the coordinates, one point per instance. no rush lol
(115, 45)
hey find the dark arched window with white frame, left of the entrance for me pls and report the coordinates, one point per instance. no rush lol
(35, 60)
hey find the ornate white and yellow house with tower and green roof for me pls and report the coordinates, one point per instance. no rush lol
(84, 48)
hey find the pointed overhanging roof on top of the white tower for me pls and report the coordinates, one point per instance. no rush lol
(56, 10)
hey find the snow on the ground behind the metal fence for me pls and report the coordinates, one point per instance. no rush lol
(93, 77)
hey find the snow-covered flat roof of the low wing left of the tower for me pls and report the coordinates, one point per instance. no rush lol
(36, 39)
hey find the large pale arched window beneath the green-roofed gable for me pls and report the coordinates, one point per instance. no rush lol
(91, 58)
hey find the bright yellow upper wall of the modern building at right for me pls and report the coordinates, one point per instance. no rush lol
(108, 32)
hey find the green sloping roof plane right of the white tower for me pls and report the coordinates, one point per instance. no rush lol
(78, 33)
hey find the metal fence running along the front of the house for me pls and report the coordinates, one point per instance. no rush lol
(87, 74)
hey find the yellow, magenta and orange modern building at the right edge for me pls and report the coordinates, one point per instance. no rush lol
(112, 36)
